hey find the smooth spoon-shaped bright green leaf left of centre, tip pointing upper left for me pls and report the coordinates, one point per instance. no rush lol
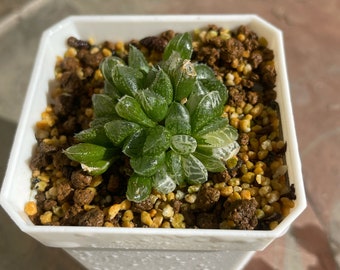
(129, 109)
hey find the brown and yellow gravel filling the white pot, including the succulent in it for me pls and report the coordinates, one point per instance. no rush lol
(221, 166)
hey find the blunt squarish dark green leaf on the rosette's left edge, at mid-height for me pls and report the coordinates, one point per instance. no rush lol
(103, 105)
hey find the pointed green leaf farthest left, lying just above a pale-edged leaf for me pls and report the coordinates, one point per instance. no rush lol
(87, 152)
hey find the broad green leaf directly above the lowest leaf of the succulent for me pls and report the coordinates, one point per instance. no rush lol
(147, 165)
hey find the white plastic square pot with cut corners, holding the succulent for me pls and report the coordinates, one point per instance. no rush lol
(100, 247)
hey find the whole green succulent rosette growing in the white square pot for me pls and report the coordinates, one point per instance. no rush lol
(167, 118)
